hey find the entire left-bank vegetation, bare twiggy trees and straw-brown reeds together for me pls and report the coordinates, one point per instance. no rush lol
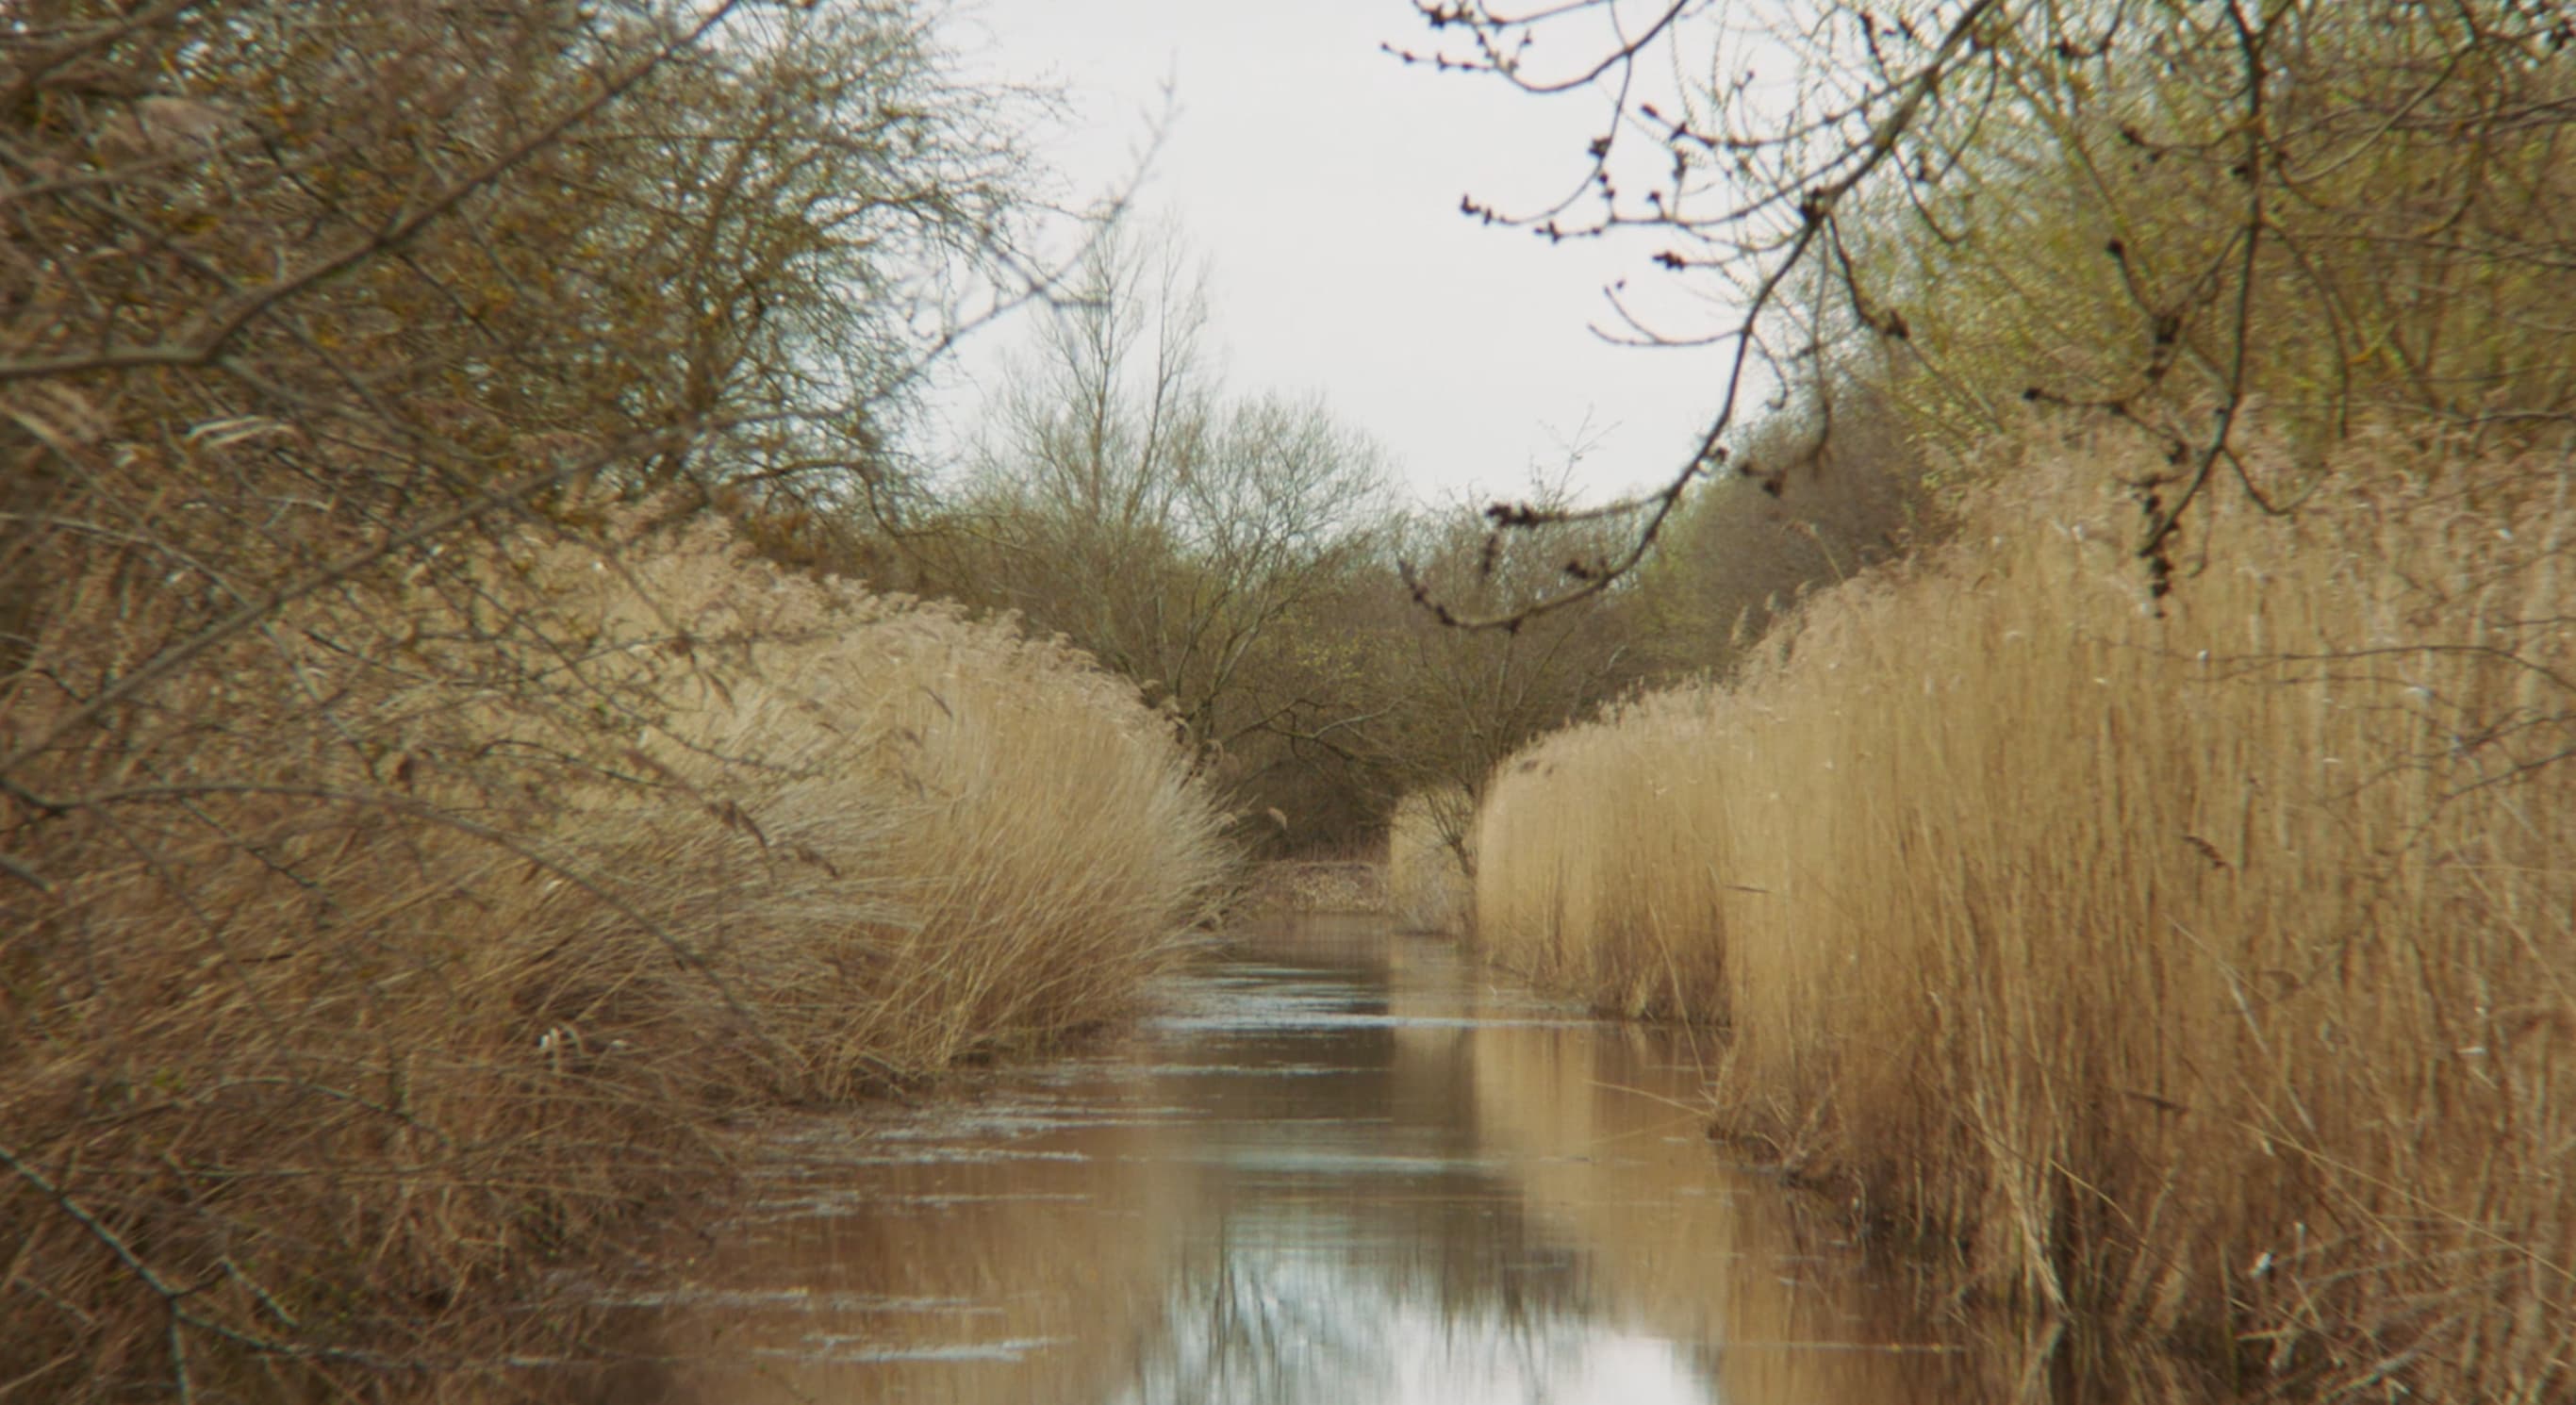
(421, 829)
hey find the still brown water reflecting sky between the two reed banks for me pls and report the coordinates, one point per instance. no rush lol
(1341, 1169)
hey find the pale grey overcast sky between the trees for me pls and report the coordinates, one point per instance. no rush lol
(1320, 179)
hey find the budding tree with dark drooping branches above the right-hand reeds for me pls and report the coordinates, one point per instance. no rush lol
(2150, 210)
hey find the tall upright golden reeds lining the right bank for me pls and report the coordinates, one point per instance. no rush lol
(2209, 973)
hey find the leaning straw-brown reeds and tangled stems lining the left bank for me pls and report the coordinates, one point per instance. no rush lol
(403, 942)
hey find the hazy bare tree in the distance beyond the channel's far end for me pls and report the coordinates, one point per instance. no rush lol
(1184, 535)
